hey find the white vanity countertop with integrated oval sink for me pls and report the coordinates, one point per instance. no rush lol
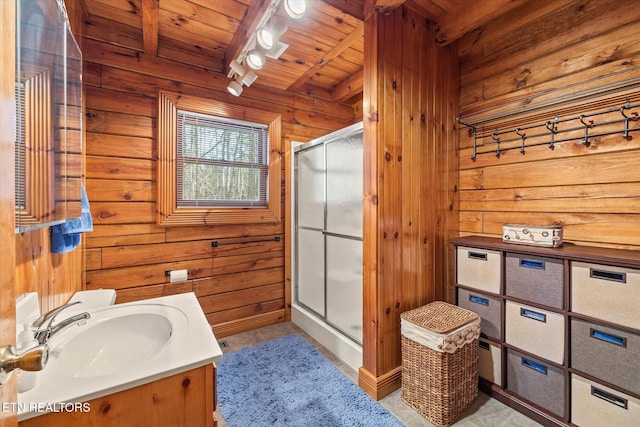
(122, 346)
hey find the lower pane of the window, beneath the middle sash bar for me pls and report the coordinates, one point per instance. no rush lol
(219, 183)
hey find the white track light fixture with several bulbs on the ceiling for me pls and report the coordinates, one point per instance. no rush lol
(264, 42)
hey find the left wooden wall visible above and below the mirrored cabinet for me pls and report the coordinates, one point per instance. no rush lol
(55, 277)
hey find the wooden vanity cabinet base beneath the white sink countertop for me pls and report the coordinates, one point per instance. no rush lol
(182, 400)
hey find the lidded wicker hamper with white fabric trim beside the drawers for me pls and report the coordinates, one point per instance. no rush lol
(440, 360)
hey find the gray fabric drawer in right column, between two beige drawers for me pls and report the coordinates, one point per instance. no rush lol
(607, 353)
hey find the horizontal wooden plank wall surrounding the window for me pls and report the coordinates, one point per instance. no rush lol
(241, 283)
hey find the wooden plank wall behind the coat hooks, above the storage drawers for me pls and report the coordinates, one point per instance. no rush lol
(549, 45)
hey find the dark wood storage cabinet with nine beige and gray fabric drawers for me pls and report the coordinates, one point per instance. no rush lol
(560, 328)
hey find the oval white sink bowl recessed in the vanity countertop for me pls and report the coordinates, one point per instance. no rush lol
(116, 340)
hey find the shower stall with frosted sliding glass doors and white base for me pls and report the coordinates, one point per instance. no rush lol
(327, 244)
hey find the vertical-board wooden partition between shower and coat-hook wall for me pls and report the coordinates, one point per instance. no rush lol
(410, 99)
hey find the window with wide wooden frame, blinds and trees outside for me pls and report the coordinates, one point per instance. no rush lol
(217, 163)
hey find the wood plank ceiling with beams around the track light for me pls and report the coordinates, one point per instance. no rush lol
(326, 46)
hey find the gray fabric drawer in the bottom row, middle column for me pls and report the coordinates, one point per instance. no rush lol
(536, 381)
